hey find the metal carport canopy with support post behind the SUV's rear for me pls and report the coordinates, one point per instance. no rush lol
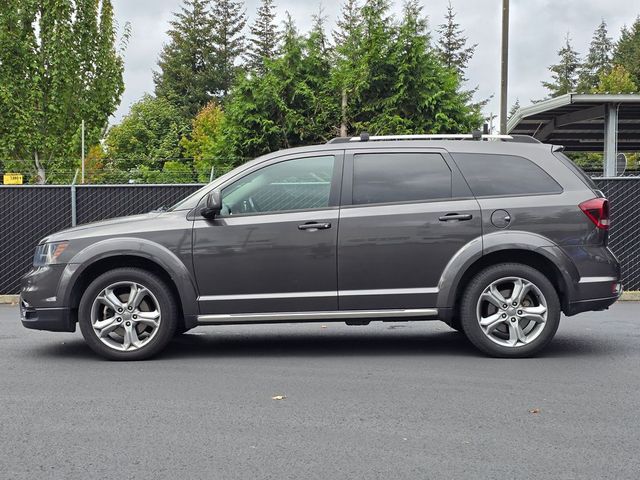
(582, 122)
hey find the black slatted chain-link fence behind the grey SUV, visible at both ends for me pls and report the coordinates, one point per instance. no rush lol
(29, 213)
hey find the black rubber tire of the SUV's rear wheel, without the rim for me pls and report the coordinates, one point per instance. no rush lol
(470, 322)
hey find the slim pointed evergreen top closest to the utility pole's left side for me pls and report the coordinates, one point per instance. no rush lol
(452, 44)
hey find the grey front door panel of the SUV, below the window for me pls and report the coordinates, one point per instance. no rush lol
(264, 263)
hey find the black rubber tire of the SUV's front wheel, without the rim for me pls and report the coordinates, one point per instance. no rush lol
(166, 304)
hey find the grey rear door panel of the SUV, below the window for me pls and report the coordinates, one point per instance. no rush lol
(399, 252)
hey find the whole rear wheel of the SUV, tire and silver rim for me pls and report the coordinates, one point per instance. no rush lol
(510, 310)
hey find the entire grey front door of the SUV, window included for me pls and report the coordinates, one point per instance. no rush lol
(274, 247)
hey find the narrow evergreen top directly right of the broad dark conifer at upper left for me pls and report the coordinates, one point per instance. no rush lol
(228, 21)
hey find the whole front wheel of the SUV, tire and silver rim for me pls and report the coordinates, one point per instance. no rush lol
(127, 314)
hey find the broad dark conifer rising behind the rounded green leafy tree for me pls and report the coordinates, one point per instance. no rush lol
(187, 75)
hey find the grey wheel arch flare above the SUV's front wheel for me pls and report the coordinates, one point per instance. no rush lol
(138, 247)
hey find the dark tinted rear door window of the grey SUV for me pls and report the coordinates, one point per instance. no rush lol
(400, 177)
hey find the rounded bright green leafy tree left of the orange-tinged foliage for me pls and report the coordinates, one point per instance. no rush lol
(151, 131)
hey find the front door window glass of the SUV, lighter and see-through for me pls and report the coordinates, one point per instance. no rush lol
(298, 184)
